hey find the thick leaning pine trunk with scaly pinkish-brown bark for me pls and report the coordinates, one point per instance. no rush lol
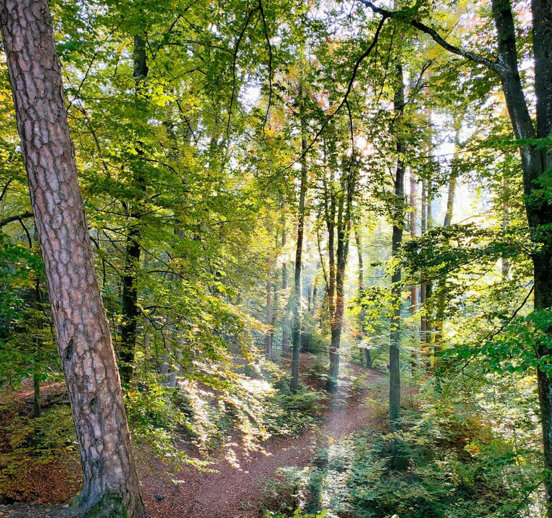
(83, 336)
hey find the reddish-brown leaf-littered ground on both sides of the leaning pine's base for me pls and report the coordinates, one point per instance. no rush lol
(236, 489)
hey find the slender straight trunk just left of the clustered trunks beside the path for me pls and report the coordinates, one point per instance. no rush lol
(296, 313)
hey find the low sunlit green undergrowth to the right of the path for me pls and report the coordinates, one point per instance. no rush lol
(457, 467)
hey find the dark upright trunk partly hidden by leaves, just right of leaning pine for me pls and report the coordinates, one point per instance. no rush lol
(130, 311)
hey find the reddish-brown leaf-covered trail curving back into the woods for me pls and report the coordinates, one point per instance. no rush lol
(237, 492)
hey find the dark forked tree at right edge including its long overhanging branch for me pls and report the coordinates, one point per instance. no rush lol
(536, 160)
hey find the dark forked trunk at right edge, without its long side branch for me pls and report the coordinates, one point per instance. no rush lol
(534, 162)
